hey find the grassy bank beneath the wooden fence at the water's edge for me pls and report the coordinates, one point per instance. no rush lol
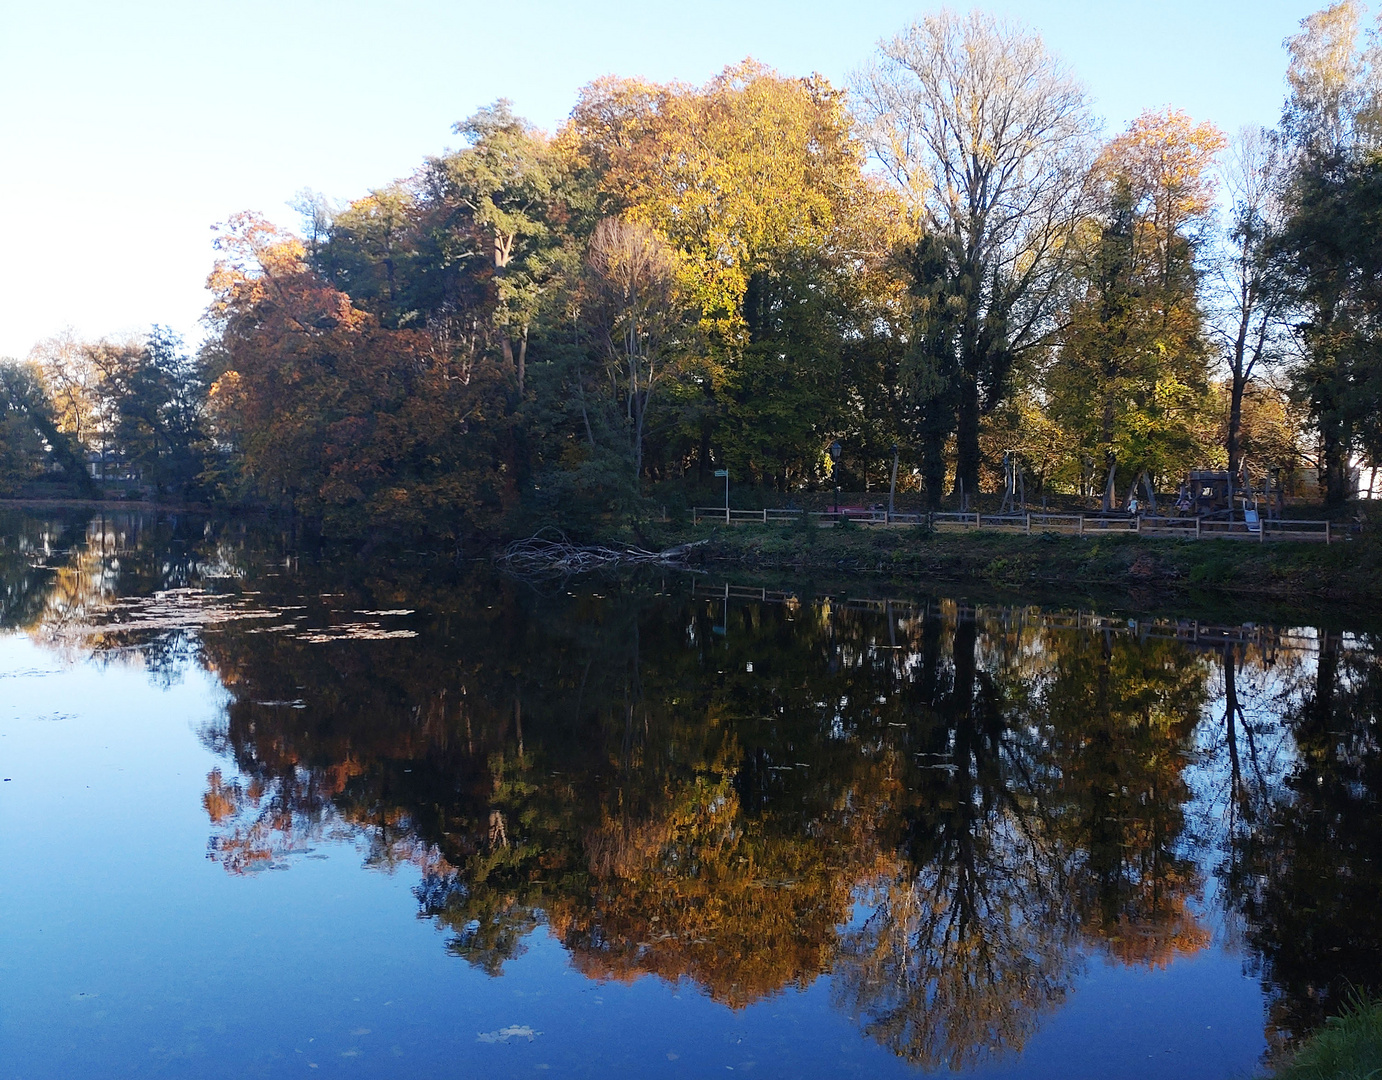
(1348, 572)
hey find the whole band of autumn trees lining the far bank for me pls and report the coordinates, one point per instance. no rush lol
(946, 262)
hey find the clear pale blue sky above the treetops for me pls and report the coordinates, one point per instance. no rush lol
(129, 128)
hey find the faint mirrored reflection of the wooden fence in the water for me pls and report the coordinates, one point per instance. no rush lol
(1203, 635)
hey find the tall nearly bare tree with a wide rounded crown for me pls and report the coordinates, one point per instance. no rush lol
(987, 136)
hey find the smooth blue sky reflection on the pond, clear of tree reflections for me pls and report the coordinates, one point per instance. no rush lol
(128, 951)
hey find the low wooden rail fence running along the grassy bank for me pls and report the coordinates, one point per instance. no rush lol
(1029, 523)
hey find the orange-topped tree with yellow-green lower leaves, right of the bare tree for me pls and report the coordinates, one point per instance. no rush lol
(1131, 375)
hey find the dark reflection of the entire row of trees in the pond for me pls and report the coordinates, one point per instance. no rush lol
(679, 790)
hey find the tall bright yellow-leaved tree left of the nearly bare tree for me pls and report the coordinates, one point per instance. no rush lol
(755, 180)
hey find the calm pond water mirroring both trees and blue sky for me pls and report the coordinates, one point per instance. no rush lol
(266, 819)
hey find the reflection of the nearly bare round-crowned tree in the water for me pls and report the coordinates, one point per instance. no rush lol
(969, 941)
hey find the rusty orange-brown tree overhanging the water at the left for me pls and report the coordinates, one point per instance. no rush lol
(353, 424)
